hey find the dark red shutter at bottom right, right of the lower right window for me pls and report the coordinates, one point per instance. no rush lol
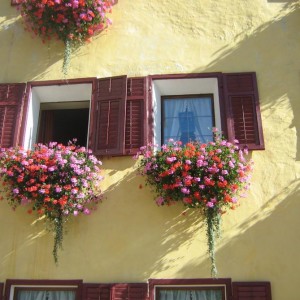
(251, 291)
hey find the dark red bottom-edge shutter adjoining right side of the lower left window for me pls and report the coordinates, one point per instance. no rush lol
(92, 291)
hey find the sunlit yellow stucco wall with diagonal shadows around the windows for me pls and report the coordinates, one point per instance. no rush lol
(129, 238)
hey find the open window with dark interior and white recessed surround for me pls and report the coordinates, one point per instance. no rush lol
(58, 112)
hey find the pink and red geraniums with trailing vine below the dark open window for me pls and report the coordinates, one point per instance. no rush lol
(54, 180)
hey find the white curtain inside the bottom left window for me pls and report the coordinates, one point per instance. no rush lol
(46, 295)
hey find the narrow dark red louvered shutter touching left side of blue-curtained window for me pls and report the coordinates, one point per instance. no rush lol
(136, 125)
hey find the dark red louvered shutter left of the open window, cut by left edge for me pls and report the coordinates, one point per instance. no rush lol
(11, 101)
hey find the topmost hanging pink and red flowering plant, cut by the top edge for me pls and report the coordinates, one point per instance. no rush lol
(73, 22)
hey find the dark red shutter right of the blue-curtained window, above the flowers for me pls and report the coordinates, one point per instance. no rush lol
(242, 110)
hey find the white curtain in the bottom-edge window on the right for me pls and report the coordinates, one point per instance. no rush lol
(190, 295)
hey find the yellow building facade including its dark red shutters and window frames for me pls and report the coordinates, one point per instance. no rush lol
(130, 247)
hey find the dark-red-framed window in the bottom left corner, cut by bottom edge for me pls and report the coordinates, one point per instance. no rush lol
(43, 289)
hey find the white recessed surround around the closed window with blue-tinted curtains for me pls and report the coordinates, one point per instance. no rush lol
(182, 86)
